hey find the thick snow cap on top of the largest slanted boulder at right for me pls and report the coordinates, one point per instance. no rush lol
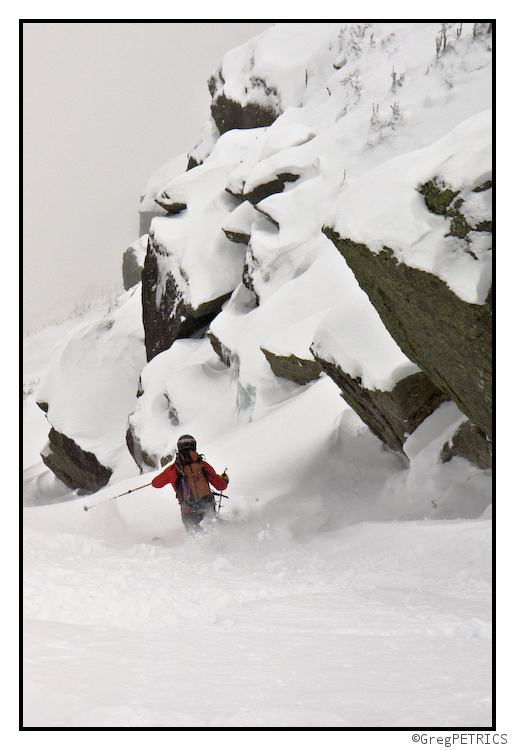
(384, 208)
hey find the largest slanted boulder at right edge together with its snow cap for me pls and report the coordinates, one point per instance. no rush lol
(423, 255)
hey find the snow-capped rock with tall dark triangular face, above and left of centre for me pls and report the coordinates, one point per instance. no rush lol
(191, 267)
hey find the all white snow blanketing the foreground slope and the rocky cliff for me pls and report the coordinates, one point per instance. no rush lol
(348, 587)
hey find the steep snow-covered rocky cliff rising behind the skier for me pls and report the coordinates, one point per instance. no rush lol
(333, 221)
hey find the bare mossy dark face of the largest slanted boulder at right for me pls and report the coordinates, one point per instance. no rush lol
(448, 338)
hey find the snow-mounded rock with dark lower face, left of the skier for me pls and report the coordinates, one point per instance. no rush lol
(89, 391)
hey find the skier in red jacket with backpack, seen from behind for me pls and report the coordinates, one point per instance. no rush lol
(190, 476)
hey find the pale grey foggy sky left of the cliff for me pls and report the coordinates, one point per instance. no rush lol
(104, 106)
